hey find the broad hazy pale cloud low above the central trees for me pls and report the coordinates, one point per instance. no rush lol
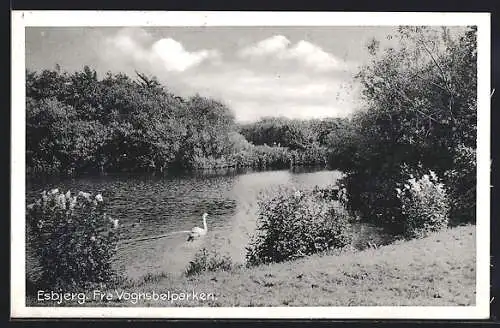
(252, 95)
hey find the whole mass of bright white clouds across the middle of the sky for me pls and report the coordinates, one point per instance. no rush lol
(264, 79)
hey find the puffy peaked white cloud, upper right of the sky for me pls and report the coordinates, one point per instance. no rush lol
(304, 52)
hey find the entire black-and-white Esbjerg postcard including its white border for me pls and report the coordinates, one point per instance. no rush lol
(225, 164)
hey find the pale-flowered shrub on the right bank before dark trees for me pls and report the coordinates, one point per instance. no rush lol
(424, 205)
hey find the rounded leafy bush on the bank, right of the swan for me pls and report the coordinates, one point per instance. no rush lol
(293, 224)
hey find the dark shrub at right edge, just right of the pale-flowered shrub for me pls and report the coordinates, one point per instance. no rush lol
(461, 183)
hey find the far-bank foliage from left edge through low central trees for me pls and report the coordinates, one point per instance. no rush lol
(79, 123)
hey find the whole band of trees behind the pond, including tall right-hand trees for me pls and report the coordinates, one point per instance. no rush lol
(419, 114)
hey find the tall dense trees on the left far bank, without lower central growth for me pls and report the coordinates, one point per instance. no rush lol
(77, 122)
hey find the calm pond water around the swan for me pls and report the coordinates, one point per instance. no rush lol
(151, 205)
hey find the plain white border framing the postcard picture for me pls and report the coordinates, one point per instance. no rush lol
(22, 19)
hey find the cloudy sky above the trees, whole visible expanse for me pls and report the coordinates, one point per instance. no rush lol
(296, 72)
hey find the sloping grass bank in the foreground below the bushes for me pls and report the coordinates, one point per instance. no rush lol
(437, 270)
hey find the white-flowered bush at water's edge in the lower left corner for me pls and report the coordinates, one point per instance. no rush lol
(73, 238)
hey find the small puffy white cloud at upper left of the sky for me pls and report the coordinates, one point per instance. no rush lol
(167, 52)
